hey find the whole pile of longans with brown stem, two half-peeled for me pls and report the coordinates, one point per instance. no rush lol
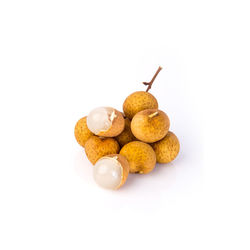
(130, 142)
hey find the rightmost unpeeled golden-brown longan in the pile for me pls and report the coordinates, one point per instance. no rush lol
(166, 149)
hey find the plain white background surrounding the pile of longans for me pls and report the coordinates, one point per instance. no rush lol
(60, 59)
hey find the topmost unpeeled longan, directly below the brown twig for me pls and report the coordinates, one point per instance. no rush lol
(137, 102)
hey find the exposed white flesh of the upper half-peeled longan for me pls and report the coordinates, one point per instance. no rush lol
(100, 119)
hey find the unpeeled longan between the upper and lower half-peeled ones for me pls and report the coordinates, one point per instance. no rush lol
(96, 147)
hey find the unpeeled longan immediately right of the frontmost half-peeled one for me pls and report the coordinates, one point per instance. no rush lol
(141, 157)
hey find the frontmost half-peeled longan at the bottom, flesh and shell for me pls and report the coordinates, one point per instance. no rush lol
(111, 171)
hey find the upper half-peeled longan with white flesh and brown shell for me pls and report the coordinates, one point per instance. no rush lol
(105, 121)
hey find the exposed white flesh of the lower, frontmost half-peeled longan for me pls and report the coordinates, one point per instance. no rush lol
(108, 172)
